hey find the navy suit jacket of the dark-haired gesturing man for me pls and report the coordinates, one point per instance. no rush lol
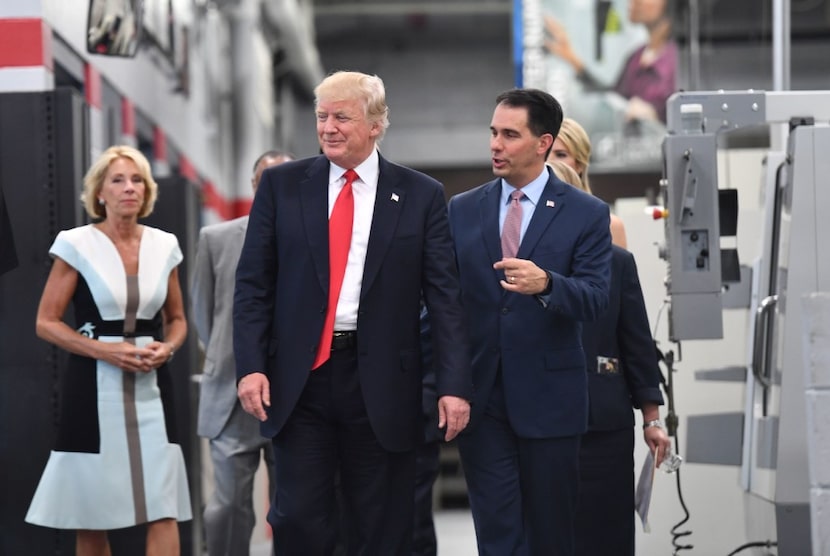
(539, 348)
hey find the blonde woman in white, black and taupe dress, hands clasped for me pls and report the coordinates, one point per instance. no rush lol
(115, 463)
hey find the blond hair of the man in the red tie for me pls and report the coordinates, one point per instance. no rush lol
(353, 85)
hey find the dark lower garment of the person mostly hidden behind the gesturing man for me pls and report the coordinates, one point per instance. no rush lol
(605, 509)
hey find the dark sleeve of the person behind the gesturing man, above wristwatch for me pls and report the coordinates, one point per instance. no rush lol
(639, 358)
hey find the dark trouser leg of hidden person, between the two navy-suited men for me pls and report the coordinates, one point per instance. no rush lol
(424, 542)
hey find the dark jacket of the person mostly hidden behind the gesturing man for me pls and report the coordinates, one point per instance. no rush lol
(622, 334)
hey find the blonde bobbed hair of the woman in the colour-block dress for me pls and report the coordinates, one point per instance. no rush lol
(94, 181)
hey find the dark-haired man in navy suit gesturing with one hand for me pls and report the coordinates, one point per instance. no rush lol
(520, 453)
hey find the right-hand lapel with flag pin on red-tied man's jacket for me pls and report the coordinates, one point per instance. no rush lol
(389, 202)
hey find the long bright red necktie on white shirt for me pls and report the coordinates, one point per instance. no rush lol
(340, 237)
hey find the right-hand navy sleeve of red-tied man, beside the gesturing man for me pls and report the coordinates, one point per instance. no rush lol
(442, 295)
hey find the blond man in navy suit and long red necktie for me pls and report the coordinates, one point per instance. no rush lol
(358, 412)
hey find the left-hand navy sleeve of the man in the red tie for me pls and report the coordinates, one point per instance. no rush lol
(256, 277)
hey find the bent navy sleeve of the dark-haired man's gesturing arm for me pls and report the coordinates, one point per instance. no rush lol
(583, 294)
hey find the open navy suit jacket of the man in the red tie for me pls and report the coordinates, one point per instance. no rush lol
(282, 283)
